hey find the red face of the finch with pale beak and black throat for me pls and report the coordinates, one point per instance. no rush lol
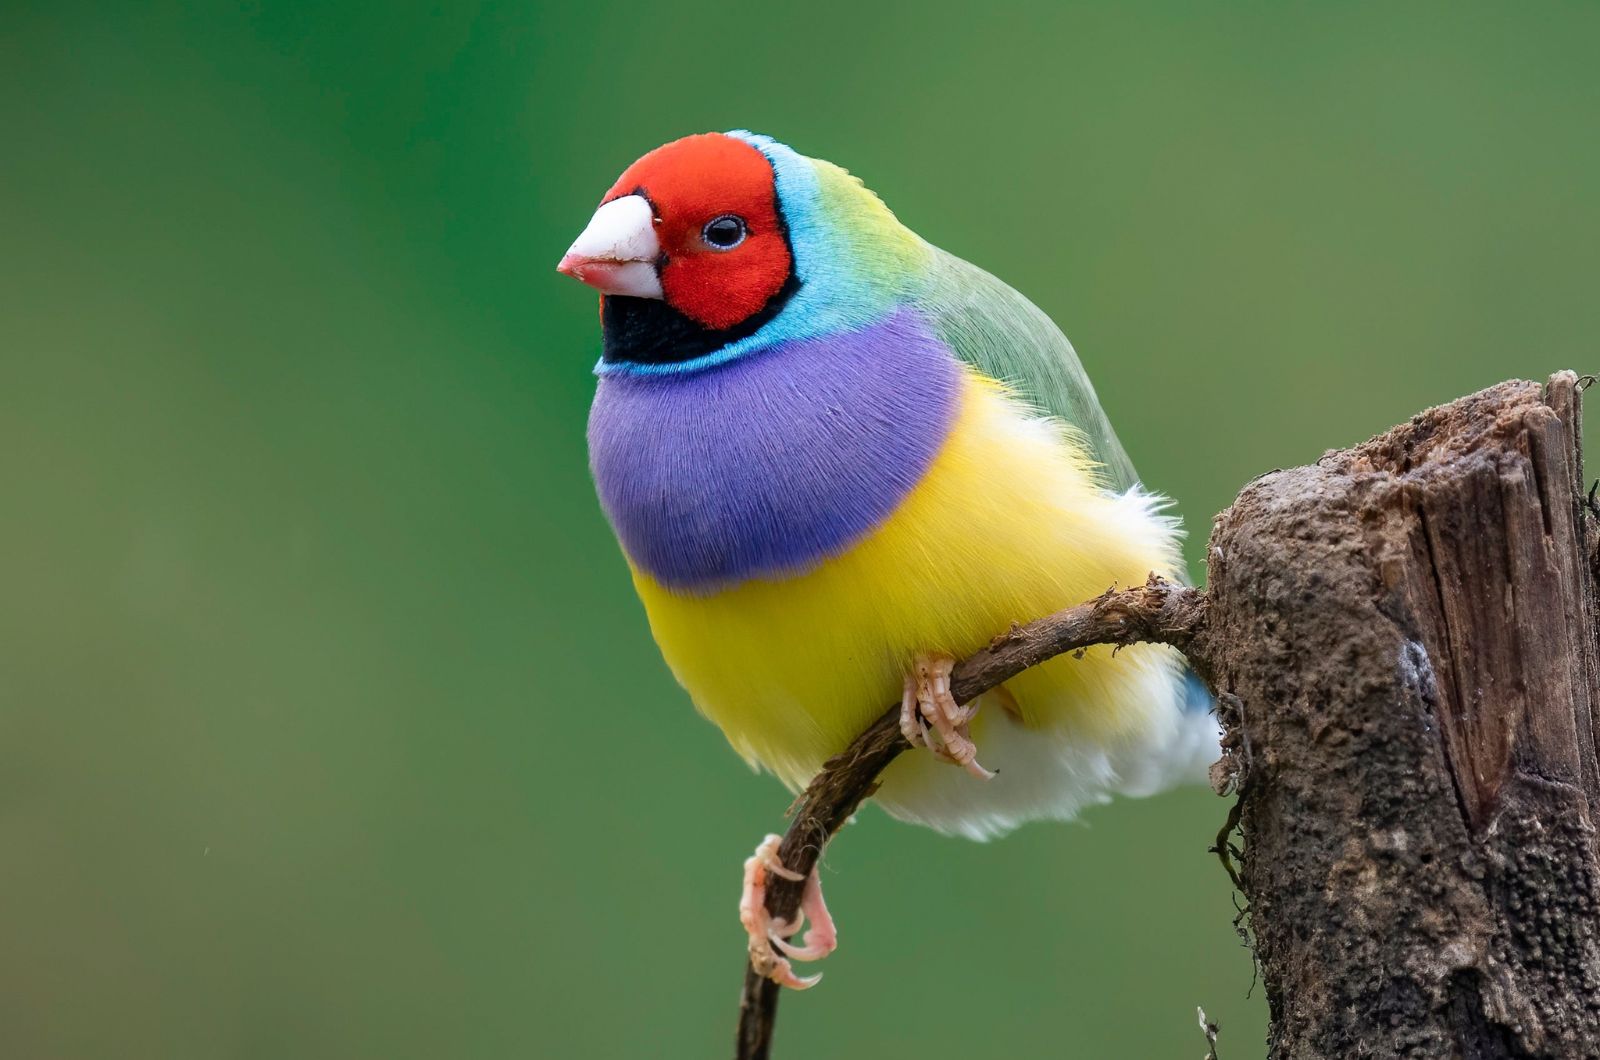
(695, 225)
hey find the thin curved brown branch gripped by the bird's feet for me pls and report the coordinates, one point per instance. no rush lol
(1158, 612)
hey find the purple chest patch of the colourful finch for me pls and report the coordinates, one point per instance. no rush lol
(770, 464)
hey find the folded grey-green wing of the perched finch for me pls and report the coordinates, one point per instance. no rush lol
(1009, 339)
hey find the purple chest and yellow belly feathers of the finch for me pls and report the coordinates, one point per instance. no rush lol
(798, 529)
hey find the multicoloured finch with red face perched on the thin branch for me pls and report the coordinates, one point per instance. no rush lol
(839, 459)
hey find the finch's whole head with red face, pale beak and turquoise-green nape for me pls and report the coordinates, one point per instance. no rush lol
(716, 244)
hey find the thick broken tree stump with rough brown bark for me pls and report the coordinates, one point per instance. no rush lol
(1406, 641)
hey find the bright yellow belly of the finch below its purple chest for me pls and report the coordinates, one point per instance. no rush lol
(1007, 524)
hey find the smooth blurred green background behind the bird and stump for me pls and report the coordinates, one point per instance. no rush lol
(330, 726)
